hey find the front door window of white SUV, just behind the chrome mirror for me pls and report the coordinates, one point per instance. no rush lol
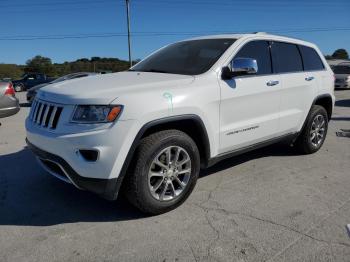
(258, 50)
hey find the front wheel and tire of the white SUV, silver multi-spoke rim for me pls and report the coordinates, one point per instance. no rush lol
(144, 190)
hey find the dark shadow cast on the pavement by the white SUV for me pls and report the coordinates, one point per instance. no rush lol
(30, 197)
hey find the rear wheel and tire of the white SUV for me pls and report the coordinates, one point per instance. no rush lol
(310, 140)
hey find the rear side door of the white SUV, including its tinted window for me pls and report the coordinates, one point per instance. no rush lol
(298, 87)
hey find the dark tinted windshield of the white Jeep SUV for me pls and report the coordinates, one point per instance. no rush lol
(192, 57)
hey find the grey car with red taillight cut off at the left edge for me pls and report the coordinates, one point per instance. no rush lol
(9, 104)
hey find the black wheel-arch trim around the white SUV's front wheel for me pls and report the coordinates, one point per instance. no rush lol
(142, 131)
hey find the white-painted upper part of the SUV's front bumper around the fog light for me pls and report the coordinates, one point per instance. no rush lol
(112, 145)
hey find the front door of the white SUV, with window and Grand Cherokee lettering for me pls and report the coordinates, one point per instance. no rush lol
(249, 109)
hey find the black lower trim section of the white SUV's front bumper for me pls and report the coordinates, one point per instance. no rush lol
(57, 166)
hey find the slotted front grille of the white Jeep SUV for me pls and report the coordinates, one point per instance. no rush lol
(45, 114)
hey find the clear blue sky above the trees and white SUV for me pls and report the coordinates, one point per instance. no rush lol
(66, 30)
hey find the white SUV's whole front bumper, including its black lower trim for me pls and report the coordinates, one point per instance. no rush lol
(60, 151)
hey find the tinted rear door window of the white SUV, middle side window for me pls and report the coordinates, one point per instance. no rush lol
(286, 58)
